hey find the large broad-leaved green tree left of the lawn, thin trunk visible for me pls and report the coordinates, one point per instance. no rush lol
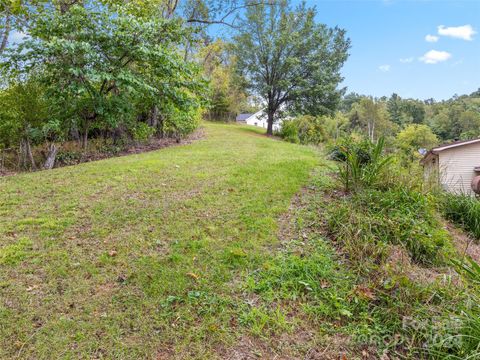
(98, 64)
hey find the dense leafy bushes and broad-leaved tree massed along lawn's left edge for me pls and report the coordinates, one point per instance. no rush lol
(100, 71)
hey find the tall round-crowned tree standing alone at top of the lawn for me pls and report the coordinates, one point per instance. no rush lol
(290, 60)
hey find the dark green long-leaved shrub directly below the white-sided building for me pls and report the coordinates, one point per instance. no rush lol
(462, 210)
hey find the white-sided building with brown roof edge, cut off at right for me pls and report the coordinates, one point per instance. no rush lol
(454, 166)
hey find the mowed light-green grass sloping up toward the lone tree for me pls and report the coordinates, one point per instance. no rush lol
(144, 256)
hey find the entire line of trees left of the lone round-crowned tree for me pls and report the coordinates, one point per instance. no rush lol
(121, 71)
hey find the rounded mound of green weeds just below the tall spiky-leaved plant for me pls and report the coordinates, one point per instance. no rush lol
(366, 222)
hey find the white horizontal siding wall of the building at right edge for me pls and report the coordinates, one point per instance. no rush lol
(456, 167)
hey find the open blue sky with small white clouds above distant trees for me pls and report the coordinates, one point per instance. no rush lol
(389, 45)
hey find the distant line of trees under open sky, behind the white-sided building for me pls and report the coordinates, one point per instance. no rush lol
(407, 125)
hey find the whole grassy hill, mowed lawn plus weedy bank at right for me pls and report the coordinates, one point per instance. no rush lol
(235, 246)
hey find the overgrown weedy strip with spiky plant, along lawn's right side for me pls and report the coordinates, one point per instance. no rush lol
(388, 229)
